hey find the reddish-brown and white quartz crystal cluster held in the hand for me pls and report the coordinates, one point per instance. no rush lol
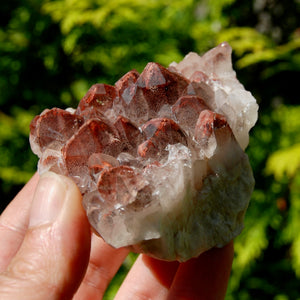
(158, 157)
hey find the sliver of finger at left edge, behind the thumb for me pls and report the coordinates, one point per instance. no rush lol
(14, 222)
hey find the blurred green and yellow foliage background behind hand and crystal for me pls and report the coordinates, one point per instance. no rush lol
(52, 51)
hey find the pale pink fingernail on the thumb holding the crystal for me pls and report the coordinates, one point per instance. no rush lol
(48, 199)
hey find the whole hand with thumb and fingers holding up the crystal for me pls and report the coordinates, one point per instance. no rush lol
(48, 252)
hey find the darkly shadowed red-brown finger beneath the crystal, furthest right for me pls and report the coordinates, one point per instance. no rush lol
(205, 277)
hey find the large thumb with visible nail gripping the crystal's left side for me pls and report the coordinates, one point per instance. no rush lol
(54, 255)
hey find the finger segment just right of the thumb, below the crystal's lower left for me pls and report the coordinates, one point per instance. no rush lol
(103, 265)
